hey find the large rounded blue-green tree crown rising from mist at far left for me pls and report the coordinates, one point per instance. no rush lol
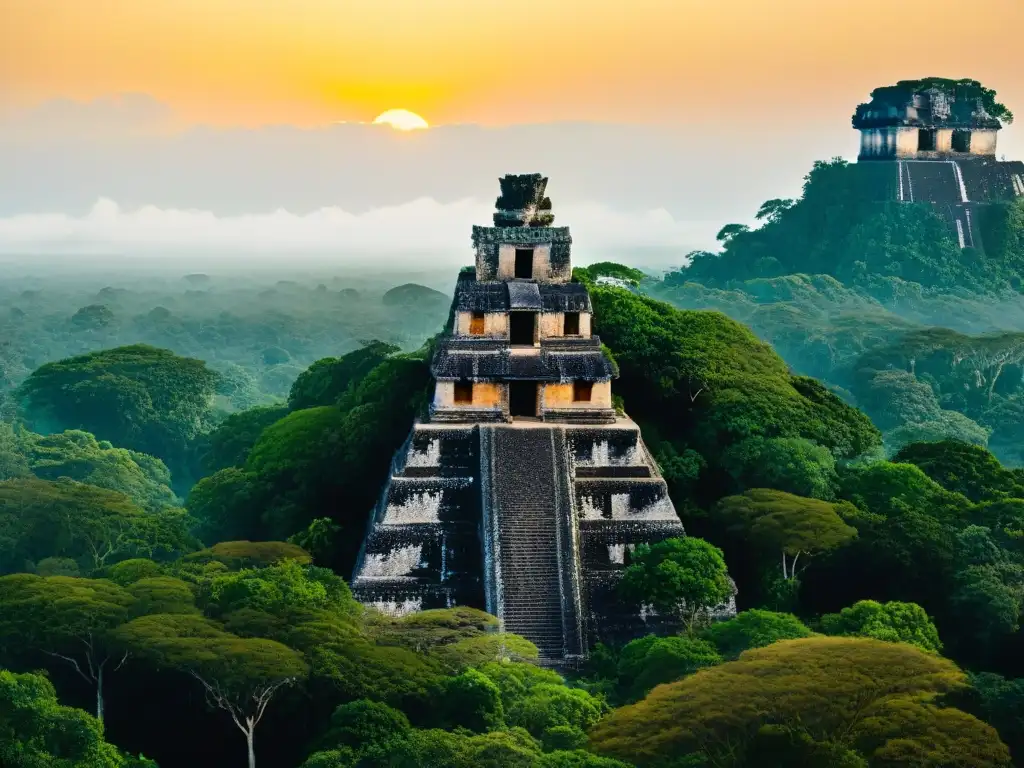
(138, 397)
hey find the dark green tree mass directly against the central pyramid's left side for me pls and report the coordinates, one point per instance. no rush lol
(316, 461)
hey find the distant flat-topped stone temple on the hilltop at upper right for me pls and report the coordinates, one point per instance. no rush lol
(934, 142)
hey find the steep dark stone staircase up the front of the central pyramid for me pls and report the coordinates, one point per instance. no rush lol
(530, 536)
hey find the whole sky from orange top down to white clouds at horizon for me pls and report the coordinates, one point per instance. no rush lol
(161, 131)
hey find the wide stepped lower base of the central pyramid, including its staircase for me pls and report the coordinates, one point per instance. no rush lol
(533, 523)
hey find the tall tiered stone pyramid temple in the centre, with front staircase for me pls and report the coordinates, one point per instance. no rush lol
(524, 491)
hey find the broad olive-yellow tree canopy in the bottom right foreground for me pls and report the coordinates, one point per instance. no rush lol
(818, 686)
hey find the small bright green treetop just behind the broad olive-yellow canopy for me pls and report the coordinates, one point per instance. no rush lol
(893, 622)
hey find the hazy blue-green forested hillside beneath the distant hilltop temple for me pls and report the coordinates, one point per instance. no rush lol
(879, 302)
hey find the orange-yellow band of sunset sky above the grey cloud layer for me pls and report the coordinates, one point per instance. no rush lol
(494, 62)
